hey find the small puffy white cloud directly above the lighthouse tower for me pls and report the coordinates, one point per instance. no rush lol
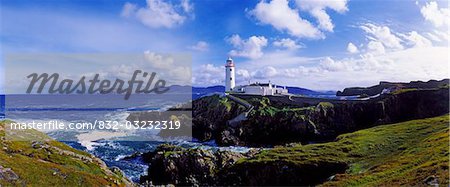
(250, 48)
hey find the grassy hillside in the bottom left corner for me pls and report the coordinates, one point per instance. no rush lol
(50, 163)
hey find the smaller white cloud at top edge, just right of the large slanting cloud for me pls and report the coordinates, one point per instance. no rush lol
(318, 10)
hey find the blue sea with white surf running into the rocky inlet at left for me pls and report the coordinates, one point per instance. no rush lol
(110, 146)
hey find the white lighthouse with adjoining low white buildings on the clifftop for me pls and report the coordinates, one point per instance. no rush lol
(252, 89)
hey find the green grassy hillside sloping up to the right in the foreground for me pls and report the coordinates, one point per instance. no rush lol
(408, 153)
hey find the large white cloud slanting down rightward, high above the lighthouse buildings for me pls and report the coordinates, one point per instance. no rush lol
(284, 18)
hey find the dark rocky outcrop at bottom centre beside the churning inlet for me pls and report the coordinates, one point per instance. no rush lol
(171, 164)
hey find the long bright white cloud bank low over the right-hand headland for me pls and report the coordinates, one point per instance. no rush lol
(405, 65)
